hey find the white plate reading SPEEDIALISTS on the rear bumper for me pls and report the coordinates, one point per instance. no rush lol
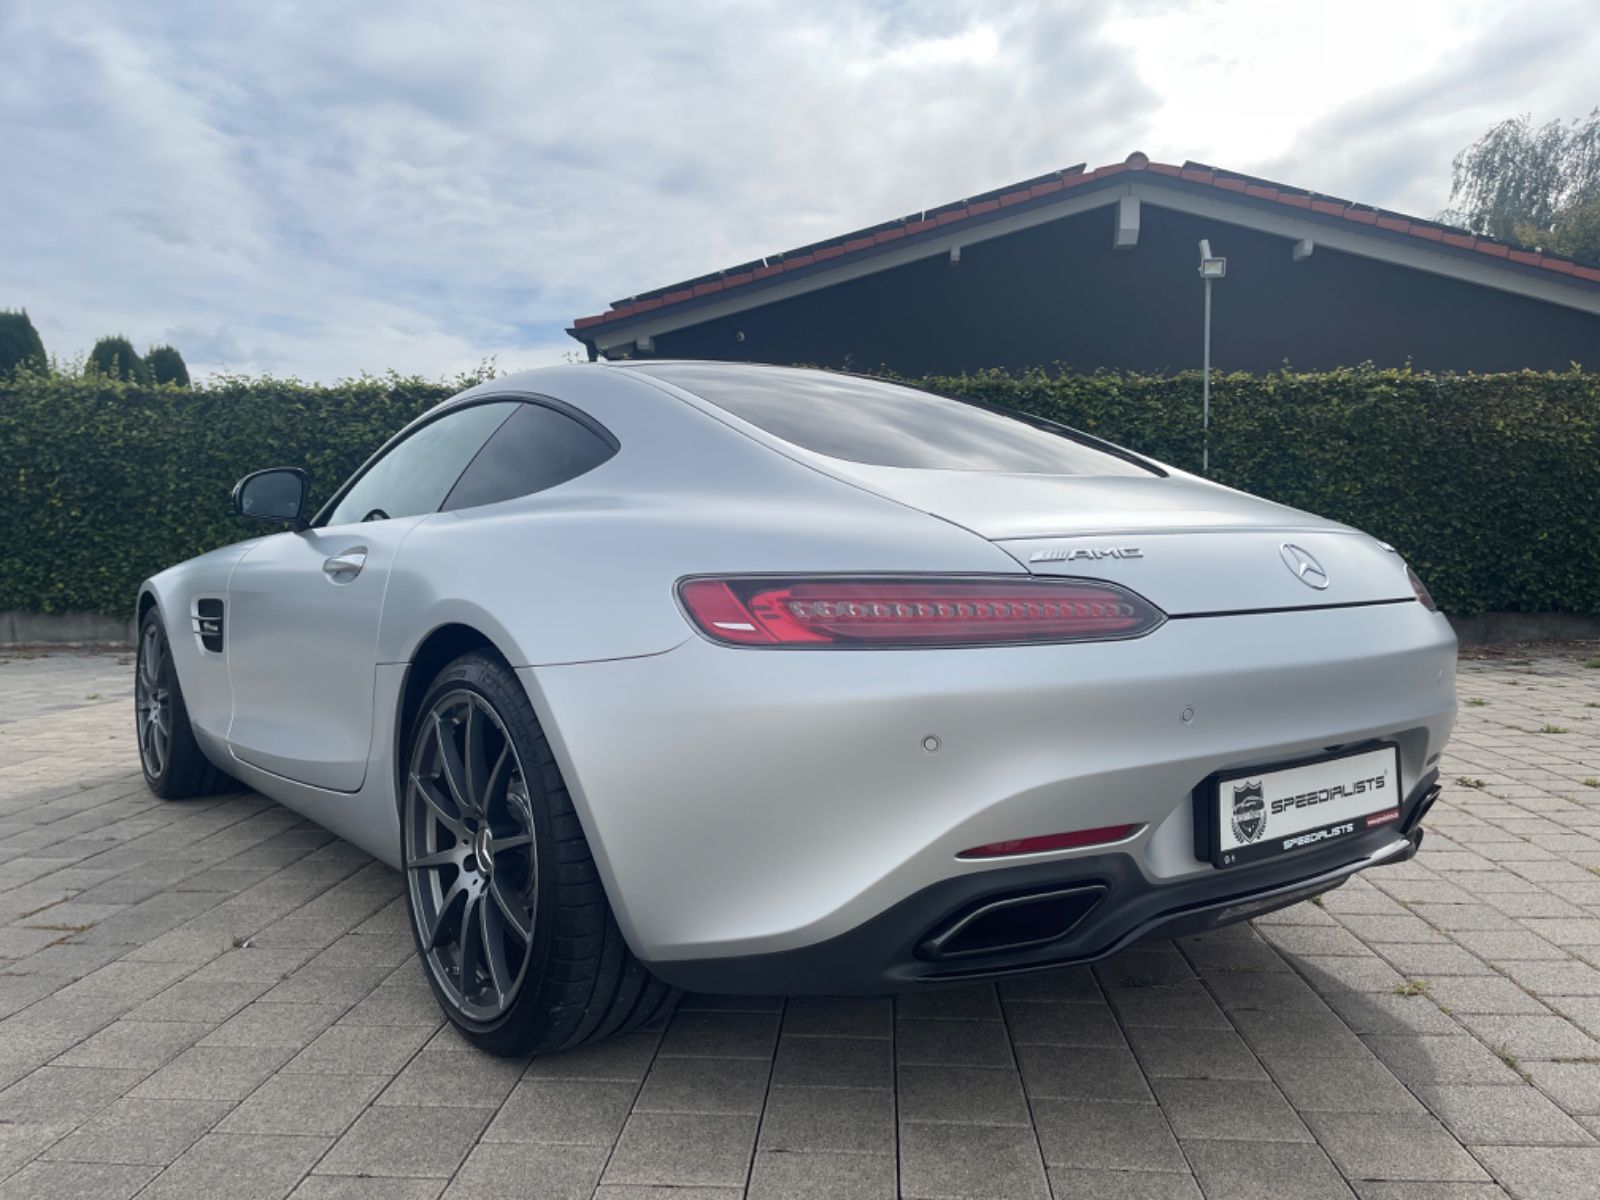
(1281, 810)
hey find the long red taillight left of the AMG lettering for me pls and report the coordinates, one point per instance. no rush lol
(914, 612)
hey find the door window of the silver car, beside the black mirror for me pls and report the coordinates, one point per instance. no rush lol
(420, 473)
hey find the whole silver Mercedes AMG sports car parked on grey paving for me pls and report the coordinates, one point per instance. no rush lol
(742, 679)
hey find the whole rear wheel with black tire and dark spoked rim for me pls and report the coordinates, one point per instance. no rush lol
(513, 852)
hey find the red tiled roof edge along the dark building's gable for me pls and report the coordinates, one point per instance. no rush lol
(1034, 190)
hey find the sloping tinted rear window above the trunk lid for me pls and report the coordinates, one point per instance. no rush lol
(889, 426)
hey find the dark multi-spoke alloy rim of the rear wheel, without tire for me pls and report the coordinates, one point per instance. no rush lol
(471, 857)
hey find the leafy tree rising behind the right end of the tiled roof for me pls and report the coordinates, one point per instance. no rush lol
(1530, 185)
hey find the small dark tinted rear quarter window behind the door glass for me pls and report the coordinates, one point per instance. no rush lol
(537, 449)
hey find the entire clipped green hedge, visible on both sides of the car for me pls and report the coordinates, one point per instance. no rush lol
(1490, 486)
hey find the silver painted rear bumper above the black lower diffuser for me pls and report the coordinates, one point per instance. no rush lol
(750, 804)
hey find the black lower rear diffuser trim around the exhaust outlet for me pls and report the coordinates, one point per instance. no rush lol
(900, 950)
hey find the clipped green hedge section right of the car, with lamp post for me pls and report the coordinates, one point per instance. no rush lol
(1487, 484)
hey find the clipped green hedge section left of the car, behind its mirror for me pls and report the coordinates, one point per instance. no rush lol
(110, 482)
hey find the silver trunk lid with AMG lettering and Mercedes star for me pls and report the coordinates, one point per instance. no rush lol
(1190, 546)
